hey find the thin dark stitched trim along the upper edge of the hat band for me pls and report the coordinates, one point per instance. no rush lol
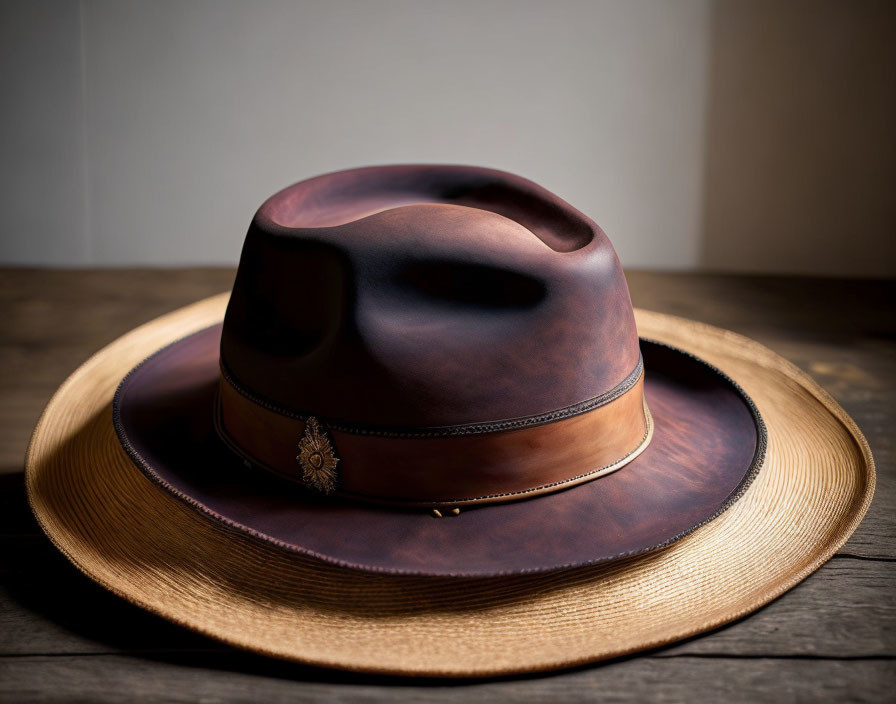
(448, 430)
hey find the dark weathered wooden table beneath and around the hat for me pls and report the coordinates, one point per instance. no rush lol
(830, 639)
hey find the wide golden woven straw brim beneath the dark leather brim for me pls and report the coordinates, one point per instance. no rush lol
(150, 548)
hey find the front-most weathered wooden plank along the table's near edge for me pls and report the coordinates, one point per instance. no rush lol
(217, 677)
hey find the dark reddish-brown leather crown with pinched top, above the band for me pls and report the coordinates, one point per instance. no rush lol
(426, 296)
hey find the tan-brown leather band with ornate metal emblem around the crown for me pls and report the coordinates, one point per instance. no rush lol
(438, 468)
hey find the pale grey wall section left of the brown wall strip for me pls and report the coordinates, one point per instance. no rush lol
(196, 111)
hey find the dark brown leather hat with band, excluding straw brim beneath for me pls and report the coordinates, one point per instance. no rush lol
(410, 342)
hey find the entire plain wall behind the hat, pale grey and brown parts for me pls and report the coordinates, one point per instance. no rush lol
(740, 136)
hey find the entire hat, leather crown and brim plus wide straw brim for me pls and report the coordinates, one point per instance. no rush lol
(429, 435)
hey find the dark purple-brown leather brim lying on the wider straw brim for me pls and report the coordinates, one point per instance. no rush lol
(707, 442)
